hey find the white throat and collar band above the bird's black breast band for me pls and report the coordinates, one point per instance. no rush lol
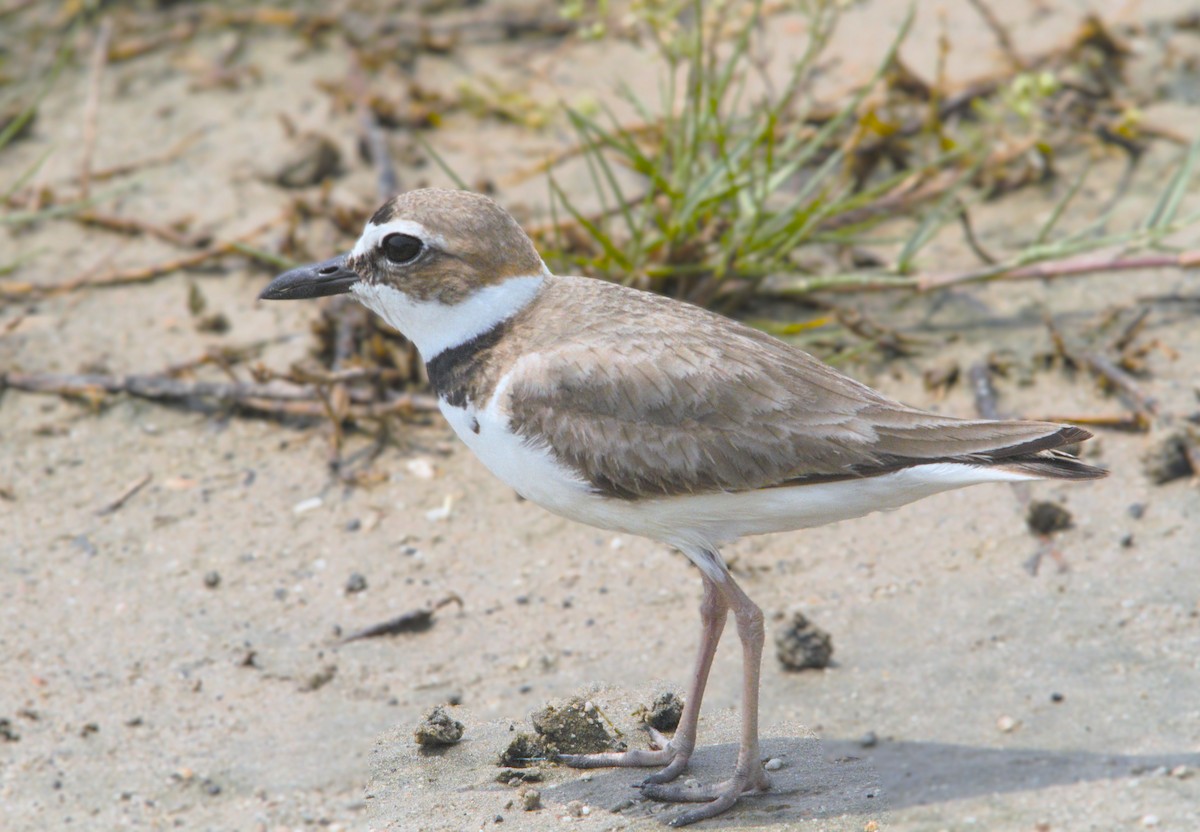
(435, 327)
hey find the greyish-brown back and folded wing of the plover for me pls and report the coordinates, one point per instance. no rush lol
(655, 398)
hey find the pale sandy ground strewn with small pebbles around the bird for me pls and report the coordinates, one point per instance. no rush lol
(177, 665)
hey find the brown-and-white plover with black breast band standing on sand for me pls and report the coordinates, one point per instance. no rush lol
(638, 414)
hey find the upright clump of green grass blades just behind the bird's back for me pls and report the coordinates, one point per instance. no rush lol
(728, 188)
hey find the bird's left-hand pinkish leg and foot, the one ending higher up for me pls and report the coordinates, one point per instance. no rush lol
(674, 755)
